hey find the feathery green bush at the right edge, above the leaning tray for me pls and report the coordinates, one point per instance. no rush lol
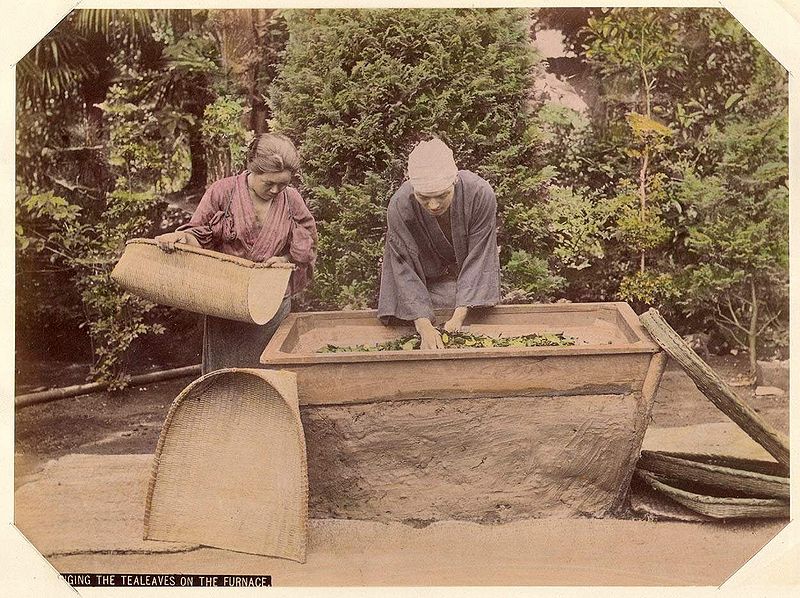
(740, 242)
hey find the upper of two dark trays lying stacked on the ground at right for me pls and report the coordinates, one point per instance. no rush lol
(749, 477)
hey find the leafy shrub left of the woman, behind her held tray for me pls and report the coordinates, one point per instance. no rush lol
(147, 156)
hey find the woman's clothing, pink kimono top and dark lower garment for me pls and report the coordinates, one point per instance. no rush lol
(225, 221)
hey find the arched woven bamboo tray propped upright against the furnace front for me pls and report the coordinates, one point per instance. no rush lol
(230, 466)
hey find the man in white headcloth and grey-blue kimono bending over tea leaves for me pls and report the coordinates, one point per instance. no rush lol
(441, 244)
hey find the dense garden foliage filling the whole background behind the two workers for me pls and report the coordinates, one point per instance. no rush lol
(669, 190)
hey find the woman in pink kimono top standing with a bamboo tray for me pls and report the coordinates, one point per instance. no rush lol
(258, 216)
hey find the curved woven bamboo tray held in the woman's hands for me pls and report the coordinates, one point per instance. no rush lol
(202, 281)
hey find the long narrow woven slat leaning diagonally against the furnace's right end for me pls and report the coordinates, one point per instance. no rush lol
(716, 389)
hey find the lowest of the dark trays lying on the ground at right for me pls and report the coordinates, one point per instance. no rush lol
(715, 506)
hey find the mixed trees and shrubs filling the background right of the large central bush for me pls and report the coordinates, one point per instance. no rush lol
(691, 121)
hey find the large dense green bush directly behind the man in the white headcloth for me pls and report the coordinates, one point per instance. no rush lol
(357, 90)
